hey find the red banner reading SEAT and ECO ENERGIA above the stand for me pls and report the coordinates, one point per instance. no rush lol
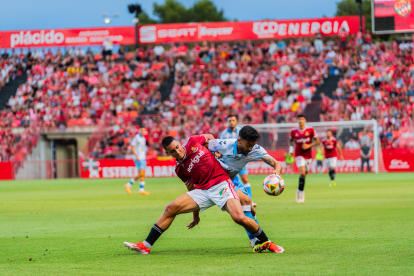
(269, 29)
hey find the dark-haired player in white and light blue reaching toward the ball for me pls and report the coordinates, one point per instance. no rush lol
(234, 154)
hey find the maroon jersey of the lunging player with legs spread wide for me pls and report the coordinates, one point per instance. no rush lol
(199, 165)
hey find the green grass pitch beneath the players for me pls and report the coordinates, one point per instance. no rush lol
(363, 226)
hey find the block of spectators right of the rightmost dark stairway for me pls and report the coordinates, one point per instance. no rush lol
(378, 84)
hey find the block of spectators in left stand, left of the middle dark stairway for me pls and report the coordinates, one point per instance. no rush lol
(75, 88)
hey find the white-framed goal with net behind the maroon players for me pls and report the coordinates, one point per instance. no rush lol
(353, 136)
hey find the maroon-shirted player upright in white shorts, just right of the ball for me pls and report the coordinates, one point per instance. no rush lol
(303, 138)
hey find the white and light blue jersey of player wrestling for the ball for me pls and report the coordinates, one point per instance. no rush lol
(232, 161)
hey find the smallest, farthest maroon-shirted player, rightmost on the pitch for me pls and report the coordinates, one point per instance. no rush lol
(330, 146)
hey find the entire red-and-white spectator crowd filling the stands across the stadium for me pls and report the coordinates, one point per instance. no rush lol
(266, 81)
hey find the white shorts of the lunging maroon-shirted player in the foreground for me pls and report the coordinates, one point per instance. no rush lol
(216, 195)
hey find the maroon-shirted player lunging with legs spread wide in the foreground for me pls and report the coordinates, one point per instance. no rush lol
(208, 184)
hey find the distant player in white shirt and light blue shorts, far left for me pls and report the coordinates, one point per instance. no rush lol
(139, 150)
